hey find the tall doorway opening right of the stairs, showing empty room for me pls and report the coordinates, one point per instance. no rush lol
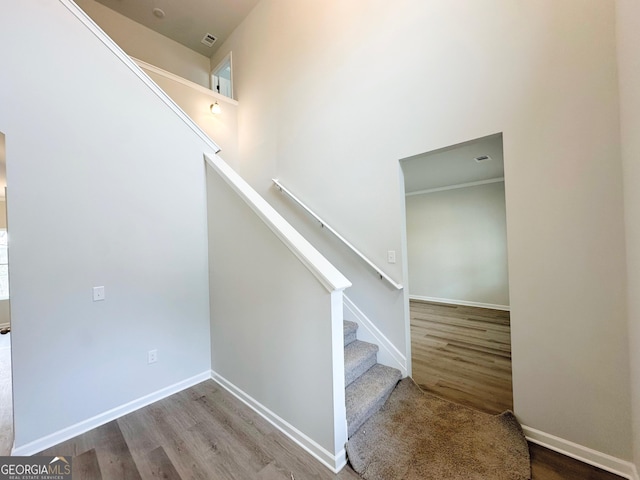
(456, 248)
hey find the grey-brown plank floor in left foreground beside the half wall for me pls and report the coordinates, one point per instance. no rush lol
(200, 433)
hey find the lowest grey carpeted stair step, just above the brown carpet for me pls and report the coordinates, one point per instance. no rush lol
(367, 394)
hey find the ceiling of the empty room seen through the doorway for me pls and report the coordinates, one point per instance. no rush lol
(454, 165)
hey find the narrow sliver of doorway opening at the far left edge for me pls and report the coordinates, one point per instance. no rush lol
(6, 397)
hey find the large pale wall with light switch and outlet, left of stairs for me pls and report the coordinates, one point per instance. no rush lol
(106, 188)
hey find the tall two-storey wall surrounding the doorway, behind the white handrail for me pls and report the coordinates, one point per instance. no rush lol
(333, 94)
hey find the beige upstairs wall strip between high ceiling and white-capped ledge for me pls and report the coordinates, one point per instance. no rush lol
(143, 43)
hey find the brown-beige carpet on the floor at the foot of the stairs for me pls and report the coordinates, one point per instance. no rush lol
(418, 436)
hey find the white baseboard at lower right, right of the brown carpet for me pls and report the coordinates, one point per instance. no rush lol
(587, 455)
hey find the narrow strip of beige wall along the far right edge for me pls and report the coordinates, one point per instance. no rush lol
(628, 30)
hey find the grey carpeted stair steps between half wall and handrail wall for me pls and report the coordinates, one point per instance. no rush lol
(368, 383)
